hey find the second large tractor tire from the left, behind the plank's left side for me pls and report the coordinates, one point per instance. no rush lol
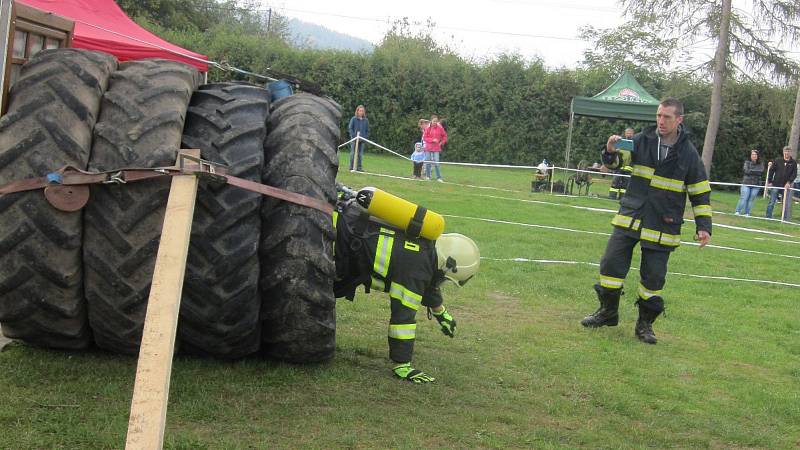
(141, 123)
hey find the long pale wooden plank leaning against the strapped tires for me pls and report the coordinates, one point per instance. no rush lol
(151, 390)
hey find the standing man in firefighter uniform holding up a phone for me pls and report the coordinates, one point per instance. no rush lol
(666, 168)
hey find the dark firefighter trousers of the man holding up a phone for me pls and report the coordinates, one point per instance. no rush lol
(616, 262)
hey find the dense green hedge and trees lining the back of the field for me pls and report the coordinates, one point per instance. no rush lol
(506, 110)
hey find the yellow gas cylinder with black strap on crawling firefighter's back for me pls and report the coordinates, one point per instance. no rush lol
(413, 219)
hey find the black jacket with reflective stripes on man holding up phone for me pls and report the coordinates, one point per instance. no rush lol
(652, 208)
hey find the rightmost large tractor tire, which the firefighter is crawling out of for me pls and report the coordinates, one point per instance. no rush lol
(297, 267)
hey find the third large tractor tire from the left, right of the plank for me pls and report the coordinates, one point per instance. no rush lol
(221, 303)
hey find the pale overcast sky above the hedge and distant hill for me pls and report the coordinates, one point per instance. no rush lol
(544, 28)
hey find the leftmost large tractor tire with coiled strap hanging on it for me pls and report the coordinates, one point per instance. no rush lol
(52, 110)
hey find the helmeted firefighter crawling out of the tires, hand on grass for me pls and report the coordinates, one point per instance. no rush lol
(410, 270)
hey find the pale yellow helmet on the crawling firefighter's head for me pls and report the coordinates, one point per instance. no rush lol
(458, 256)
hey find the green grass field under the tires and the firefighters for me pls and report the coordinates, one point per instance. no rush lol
(520, 373)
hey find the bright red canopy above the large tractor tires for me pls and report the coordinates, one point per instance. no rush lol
(102, 25)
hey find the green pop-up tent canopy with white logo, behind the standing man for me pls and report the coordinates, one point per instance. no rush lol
(624, 99)
